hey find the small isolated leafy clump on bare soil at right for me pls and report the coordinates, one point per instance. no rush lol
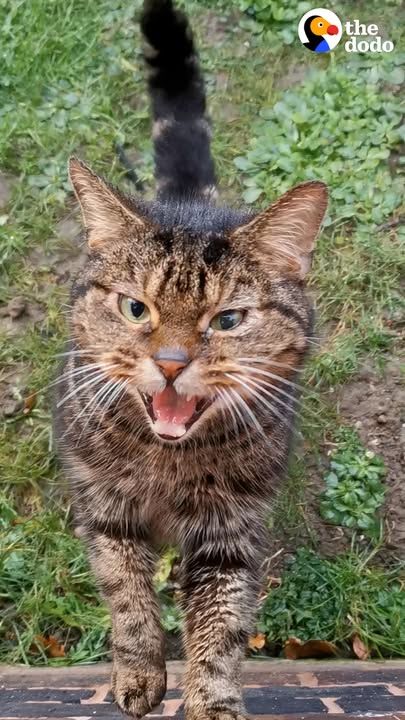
(354, 491)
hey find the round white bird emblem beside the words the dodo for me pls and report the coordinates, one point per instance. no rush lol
(320, 30)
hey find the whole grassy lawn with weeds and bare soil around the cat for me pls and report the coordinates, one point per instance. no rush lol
(72, 82)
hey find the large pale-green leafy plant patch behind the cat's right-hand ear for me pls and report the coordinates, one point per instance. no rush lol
(339, 127)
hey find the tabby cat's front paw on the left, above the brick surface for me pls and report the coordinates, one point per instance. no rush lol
(137, 692)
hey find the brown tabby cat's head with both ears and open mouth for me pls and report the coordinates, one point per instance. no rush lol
(196, 327)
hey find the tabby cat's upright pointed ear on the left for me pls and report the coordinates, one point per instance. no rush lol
(105, 213)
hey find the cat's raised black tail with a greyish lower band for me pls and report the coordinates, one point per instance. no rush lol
(181, 130)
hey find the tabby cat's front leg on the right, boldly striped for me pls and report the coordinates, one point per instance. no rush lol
(220, 596)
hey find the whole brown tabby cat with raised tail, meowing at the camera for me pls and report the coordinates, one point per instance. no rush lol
(175, 409)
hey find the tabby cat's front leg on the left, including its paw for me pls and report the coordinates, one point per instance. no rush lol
(124, 568)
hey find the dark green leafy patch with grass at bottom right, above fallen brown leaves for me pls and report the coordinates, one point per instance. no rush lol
(334, 599)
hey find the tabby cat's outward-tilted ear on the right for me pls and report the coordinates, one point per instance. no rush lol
(283, 236)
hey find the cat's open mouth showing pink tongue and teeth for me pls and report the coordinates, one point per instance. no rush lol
(172, 415)
